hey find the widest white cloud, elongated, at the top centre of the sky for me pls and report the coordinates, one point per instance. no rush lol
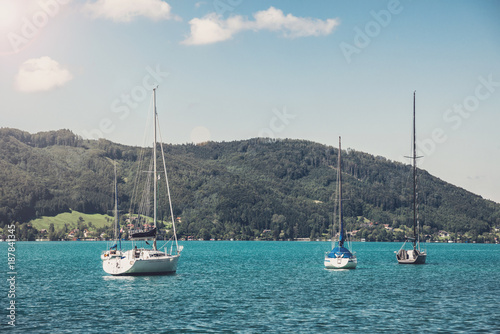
(212, 28)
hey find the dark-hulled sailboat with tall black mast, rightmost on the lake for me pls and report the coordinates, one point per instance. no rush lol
(413, 255)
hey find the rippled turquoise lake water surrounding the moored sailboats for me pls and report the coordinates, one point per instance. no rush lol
(256, 287)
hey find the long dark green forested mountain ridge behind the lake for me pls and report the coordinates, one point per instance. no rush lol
(241, 189)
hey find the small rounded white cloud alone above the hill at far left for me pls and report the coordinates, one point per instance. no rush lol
(41, 74)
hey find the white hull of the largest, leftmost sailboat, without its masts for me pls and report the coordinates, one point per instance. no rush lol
(141, 262)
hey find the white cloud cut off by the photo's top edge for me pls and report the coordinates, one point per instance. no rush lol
(127, 10)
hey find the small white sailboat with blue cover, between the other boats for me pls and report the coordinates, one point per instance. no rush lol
(340, 257)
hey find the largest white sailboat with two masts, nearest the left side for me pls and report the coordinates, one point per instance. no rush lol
(145, 260)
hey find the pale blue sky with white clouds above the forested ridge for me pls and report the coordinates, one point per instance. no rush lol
(238, 69)
